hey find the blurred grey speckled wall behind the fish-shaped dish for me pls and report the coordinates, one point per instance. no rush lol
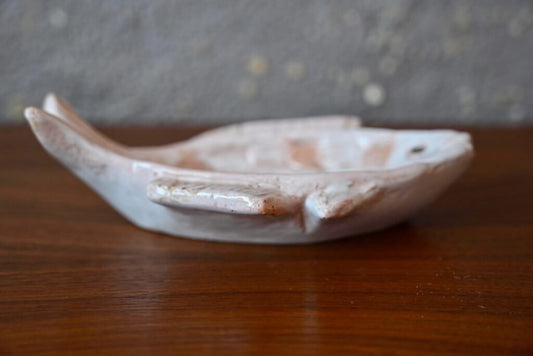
(134, 61)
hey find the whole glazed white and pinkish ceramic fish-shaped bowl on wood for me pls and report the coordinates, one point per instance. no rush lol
(290, 181)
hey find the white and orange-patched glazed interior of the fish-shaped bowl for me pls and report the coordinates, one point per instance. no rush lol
(328, 151)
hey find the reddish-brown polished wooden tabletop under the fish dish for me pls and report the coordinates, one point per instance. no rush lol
(76, 277)
